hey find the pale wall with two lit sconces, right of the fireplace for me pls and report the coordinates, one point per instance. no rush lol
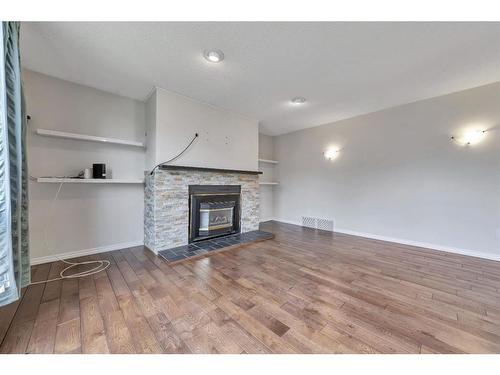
(399, 176)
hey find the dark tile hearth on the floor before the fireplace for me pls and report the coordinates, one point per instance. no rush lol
(202, 248)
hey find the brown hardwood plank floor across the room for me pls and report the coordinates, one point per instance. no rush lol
(305, 291)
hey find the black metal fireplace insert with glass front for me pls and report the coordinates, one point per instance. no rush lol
(214, 211)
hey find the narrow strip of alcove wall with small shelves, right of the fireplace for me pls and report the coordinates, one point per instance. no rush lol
(266, 192)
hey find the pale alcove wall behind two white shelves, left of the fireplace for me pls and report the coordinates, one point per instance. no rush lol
(85, 216)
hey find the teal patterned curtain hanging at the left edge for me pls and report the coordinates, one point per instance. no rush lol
(14, 245)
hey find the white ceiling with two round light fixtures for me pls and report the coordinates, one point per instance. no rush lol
(343, 69)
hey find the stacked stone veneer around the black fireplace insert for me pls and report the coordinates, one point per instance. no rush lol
(166, 206)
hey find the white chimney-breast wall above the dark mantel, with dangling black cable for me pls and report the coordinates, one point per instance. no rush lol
(227, 140)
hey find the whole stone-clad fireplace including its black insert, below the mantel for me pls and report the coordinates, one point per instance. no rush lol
(169, 221)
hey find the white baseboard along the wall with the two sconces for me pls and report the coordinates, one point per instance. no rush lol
(426, 245)
